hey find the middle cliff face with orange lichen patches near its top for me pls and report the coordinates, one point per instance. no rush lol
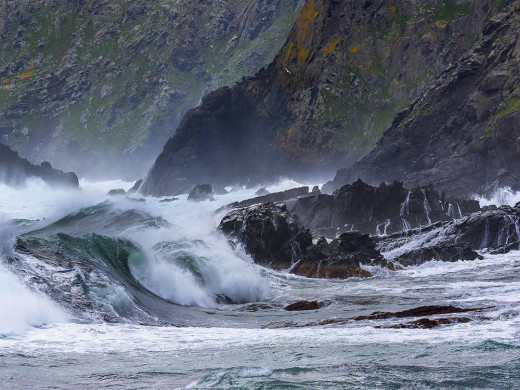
(346, 69)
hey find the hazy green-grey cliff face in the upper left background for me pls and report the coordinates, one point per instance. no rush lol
(92, 85)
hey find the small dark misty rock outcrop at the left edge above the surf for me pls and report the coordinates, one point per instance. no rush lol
(15, 170)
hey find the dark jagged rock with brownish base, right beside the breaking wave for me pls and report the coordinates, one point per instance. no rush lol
(274, 238)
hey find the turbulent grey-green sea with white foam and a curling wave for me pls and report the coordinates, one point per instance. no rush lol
(114, 293)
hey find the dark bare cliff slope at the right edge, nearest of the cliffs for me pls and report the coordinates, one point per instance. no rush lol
(463, 135)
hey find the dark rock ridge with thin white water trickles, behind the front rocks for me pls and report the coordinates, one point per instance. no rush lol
(378, 210)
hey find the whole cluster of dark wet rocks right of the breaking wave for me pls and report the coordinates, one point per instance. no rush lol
(360, 226)
